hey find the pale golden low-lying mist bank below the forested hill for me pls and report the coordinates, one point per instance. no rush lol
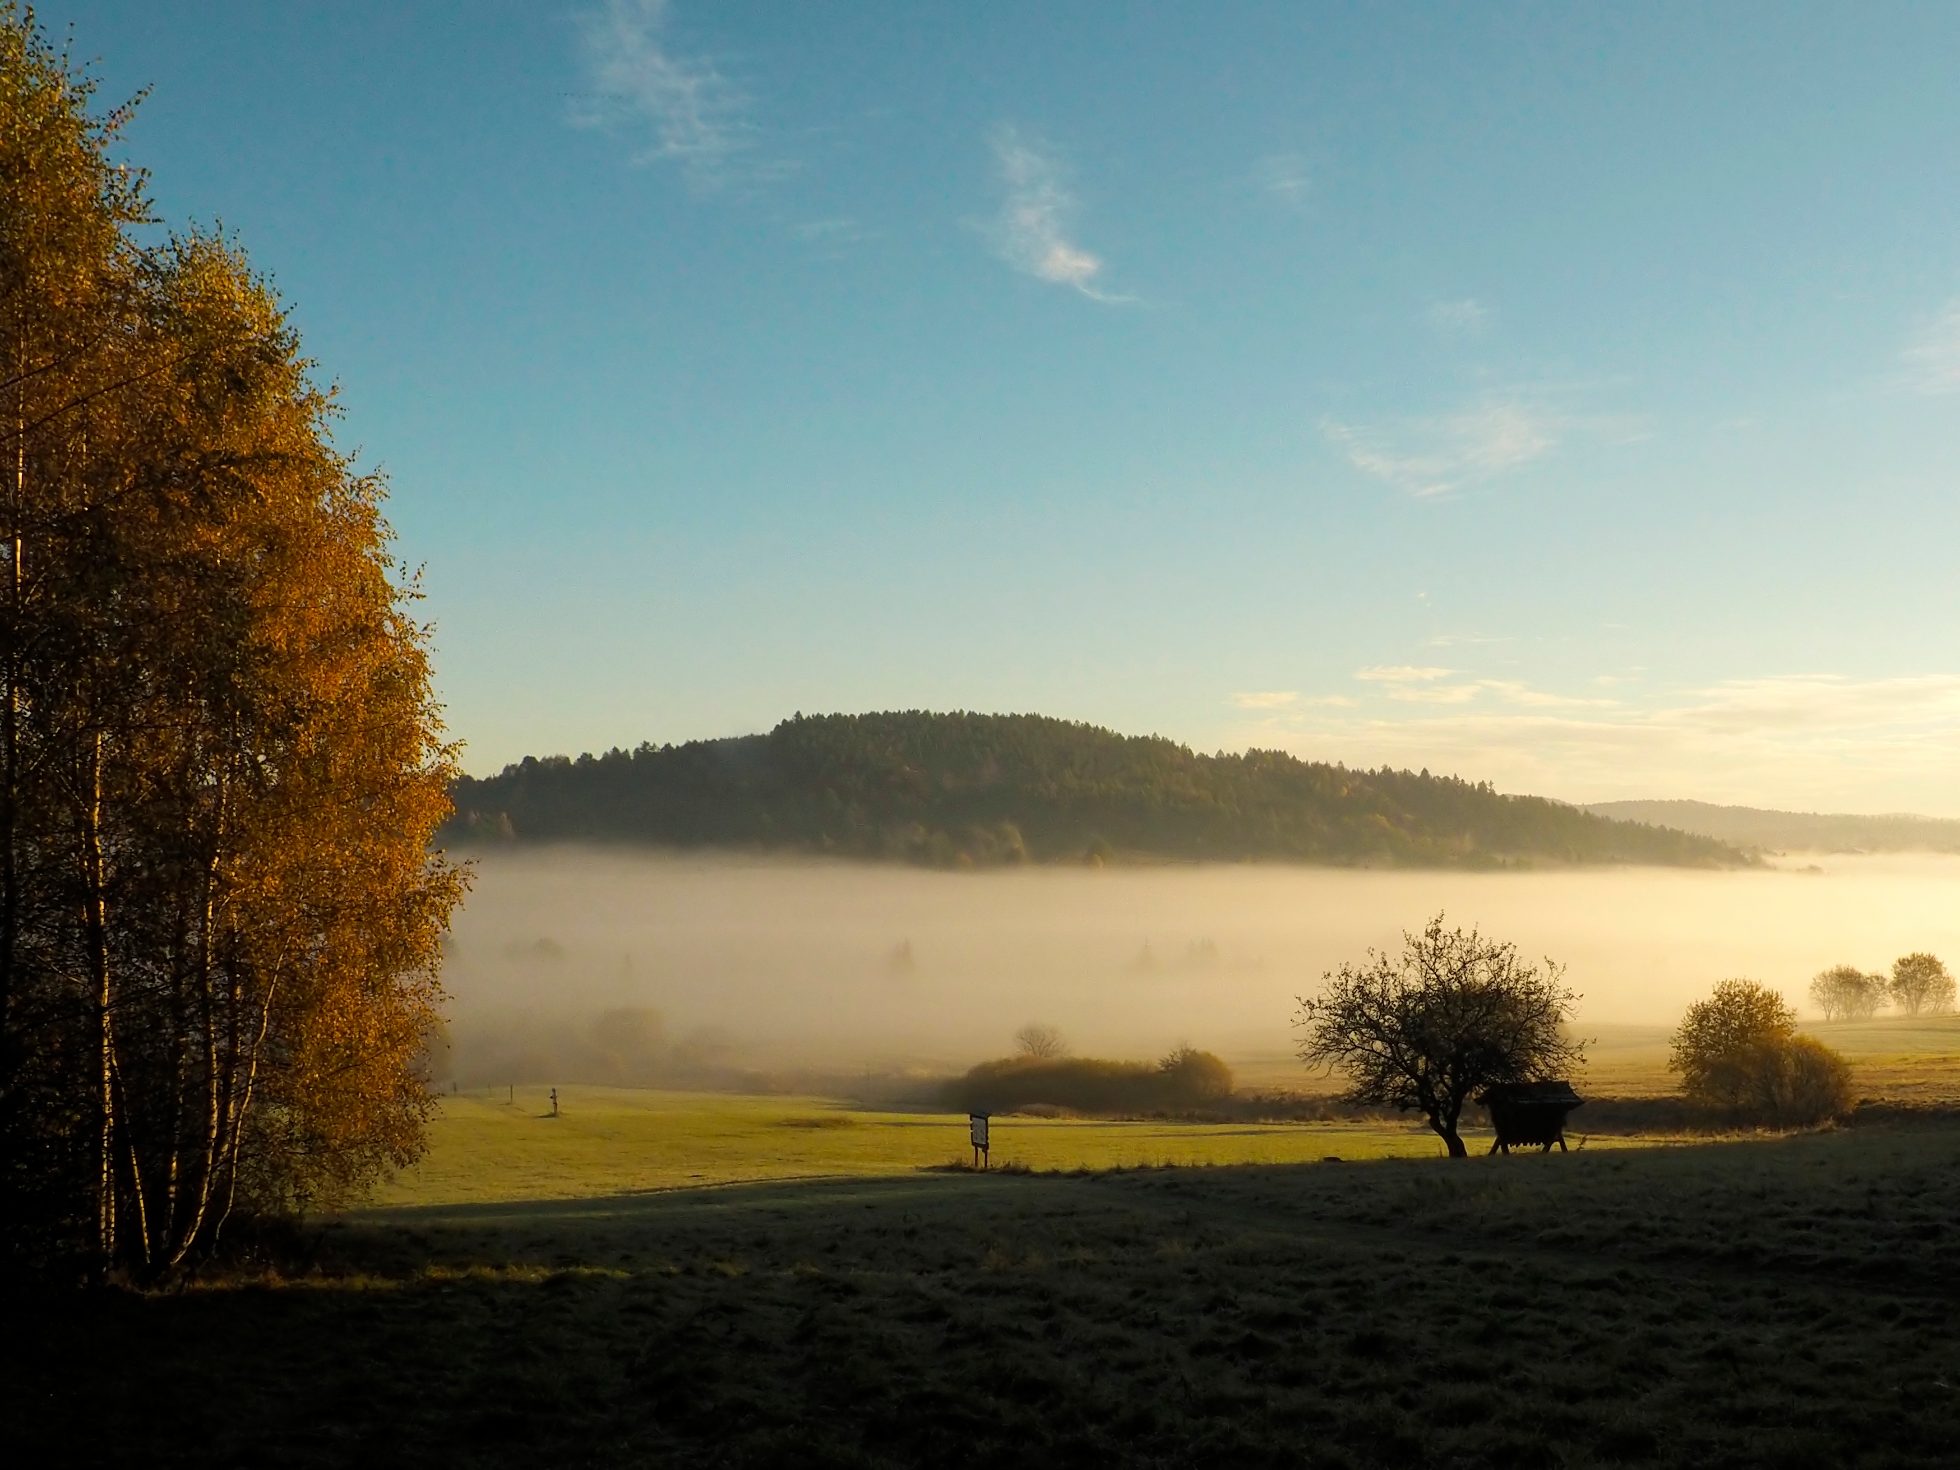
(644, 967)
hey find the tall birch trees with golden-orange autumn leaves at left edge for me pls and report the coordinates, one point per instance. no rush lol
(220, 758)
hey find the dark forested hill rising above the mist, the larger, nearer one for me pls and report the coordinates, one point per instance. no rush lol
(987, 791)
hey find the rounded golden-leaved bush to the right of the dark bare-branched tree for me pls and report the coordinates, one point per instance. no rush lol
(1739, 1052)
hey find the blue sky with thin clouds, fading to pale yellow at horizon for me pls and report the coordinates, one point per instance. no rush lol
(1565, 397)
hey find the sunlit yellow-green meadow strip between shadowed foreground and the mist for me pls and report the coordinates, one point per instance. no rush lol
(620, 1140)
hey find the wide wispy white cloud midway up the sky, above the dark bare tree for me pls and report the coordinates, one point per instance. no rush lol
(1442, 456)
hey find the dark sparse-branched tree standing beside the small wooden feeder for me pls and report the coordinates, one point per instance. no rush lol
(1430, 1028)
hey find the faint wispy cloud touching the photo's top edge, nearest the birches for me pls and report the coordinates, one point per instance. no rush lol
(681, 109)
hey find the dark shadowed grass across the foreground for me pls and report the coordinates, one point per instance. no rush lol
(1783, 1302)
